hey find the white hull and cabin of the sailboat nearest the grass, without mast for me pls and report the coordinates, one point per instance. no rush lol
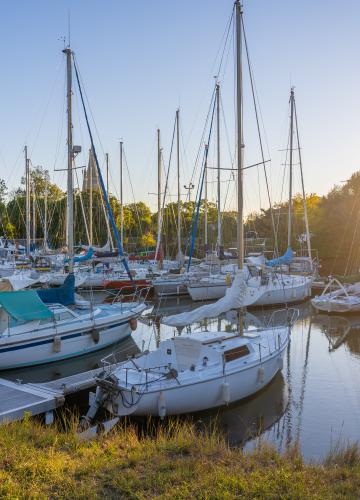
(192, 373)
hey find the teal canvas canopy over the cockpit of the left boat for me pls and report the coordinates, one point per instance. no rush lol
(24, 305)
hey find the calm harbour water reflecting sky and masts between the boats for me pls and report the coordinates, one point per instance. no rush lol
(315, 399)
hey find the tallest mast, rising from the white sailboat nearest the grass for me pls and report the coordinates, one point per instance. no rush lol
(240, 146)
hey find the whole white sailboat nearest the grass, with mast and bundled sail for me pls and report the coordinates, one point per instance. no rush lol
(189, 373)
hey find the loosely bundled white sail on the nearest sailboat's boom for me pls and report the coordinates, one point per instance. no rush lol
(236, 297)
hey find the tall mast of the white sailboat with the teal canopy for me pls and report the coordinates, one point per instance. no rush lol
(70, 194)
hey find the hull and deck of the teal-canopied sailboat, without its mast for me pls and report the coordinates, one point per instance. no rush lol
(32, 333)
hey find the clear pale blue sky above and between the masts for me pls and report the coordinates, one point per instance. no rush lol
(141, 60)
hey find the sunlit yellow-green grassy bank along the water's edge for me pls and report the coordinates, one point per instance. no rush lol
(176, 462)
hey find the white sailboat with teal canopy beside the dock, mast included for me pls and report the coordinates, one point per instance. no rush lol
(43, 326)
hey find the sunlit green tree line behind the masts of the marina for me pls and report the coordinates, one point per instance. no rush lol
(333, 221)
